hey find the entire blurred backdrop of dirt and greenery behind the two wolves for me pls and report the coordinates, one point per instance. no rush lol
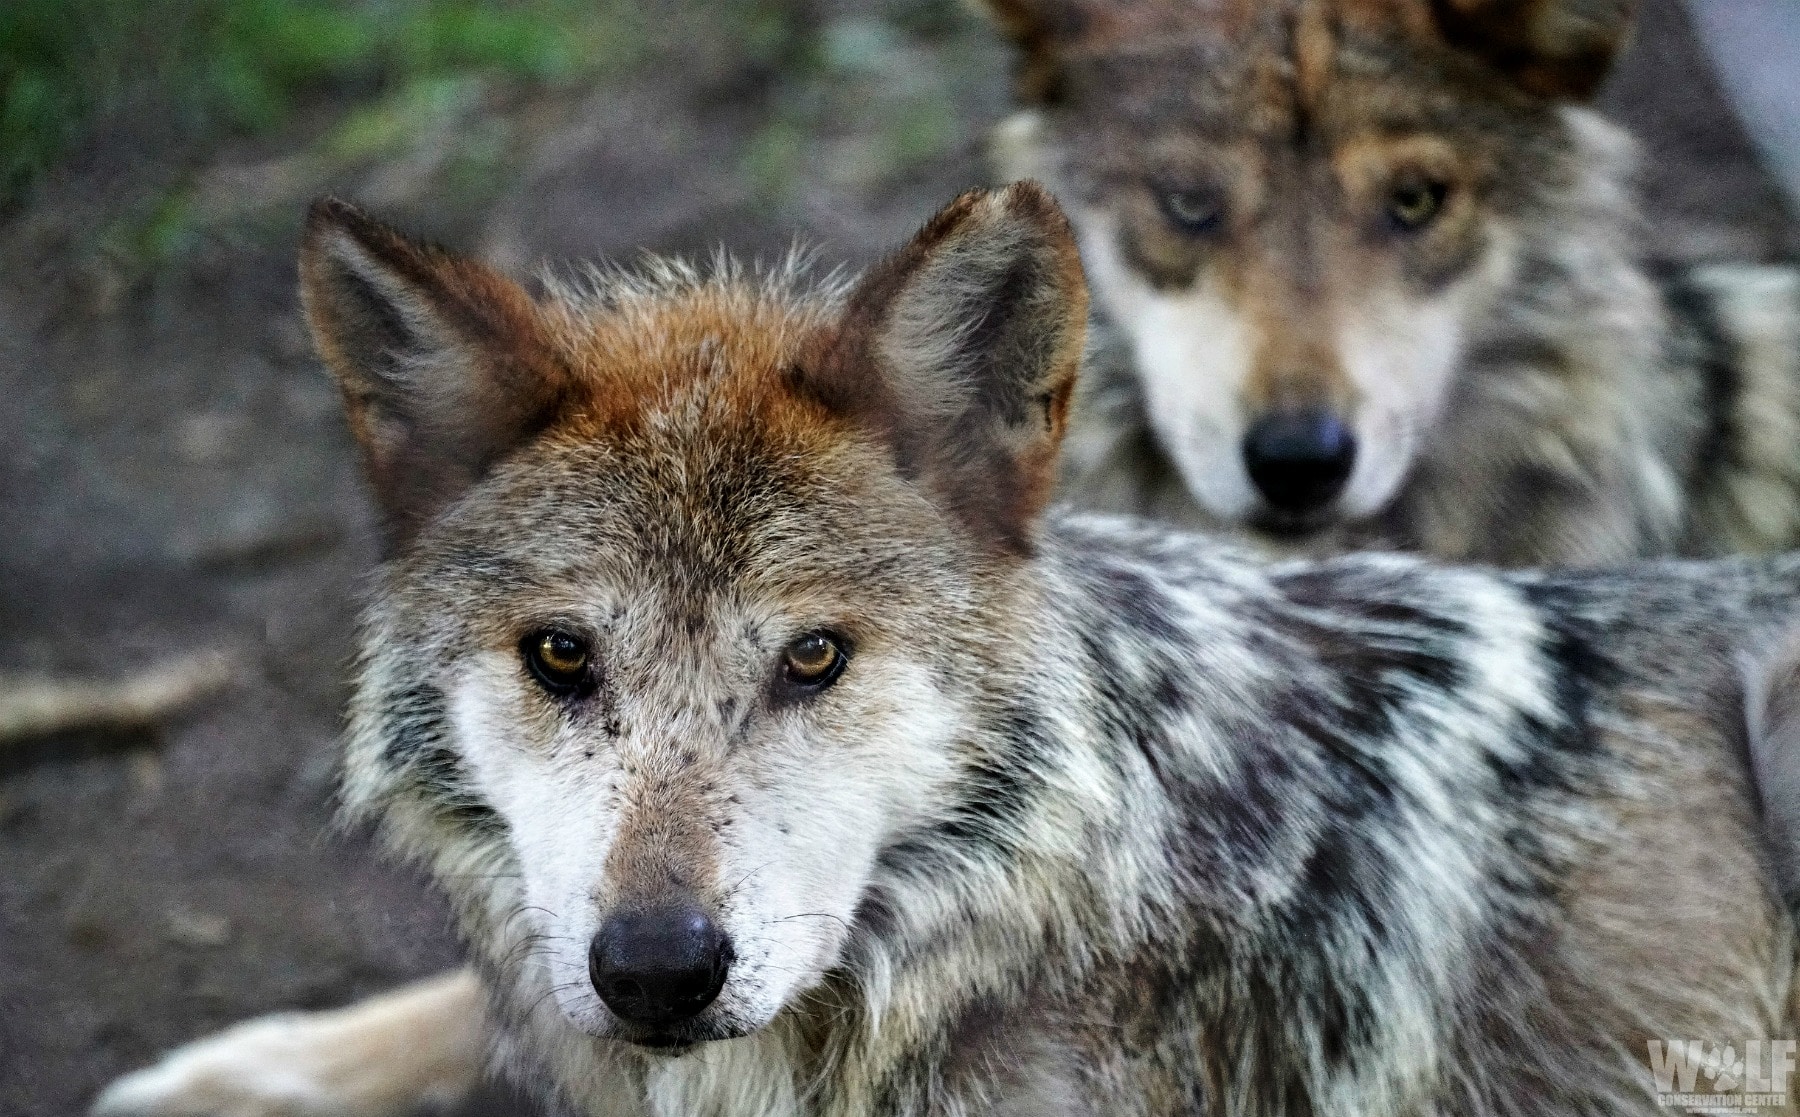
(183, 532)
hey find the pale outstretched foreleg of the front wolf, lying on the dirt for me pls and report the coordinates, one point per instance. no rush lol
(418, 1048)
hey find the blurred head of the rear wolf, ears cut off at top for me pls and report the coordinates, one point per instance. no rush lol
(1302, 213)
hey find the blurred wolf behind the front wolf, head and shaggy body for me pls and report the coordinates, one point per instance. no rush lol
(1371, 274)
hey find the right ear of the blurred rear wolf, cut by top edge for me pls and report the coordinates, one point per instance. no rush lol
(1549, 48)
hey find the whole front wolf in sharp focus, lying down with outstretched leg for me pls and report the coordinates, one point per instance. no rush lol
(782, 756)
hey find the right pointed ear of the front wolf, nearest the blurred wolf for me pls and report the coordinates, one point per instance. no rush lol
(962, 353)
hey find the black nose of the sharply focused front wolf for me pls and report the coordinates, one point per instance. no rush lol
(658, 967)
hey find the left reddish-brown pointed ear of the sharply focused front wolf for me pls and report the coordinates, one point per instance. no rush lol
(444, 362)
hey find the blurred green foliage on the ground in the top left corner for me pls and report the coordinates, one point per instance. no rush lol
(251, 66)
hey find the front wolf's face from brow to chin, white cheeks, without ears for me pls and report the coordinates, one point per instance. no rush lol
(696, 755)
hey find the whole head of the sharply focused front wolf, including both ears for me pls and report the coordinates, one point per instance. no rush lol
(688, 582)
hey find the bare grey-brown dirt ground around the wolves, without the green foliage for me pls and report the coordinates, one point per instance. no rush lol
(175, 478)
